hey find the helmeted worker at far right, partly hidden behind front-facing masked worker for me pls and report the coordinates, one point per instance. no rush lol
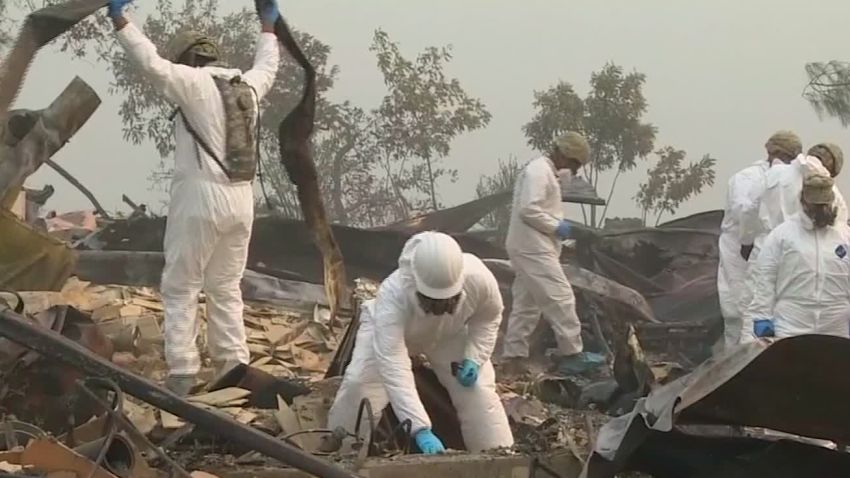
(781, 200)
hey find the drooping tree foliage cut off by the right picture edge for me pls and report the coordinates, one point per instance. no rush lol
(828, 90)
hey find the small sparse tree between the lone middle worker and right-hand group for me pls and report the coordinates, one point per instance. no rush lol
(671, 182)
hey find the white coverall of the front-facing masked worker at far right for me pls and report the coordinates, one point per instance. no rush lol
(802, 281)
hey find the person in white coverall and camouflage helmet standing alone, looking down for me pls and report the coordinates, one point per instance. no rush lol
(533, 243)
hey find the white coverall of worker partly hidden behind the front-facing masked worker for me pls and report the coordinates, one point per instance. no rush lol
(782, 197)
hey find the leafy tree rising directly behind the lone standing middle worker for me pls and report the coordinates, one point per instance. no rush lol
(611, 117)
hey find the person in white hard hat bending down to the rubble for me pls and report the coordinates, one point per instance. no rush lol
(446, 305)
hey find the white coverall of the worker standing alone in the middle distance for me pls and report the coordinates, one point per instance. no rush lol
(540, 285)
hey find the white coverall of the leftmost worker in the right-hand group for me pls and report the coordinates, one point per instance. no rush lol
(742, 198)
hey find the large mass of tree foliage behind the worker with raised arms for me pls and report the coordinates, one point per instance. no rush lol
(375, 166)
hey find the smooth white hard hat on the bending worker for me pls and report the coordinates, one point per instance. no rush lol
(438, 266)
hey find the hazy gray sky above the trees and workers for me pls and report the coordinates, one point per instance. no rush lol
(722, 75)
